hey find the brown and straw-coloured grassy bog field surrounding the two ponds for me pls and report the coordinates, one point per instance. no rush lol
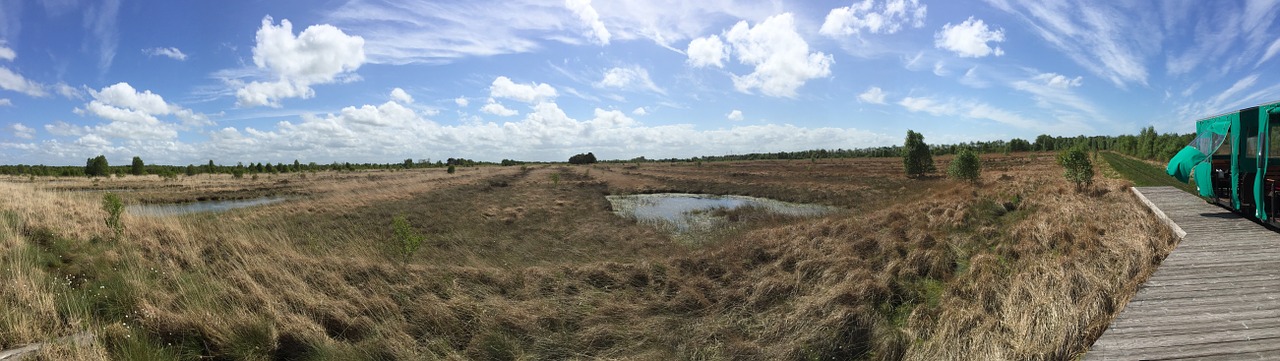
(531, 264)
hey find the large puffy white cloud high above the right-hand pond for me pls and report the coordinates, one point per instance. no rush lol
(780, 56)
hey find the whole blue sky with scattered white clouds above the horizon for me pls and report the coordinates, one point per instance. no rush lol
(374, 81)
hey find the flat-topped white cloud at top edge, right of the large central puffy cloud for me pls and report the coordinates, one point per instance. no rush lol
(876, 17)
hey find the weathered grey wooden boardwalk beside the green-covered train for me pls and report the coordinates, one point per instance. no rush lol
(1215, 298)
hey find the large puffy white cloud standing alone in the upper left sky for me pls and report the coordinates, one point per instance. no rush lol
(317, 56)
